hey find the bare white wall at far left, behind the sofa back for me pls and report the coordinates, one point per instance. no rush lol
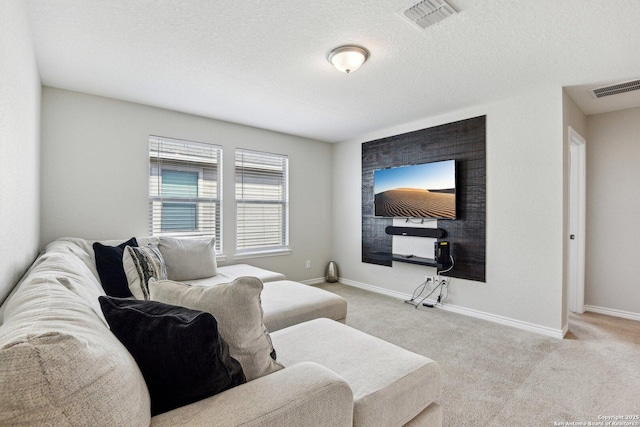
(20, 93)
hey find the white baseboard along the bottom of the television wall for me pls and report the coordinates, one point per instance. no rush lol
(531, 327)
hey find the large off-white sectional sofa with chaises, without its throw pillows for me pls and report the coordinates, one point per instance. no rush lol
(60, 364)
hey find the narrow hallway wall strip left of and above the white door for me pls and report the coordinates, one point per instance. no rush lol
(574, 117)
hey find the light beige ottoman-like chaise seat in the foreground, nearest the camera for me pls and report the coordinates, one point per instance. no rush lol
(390, 385)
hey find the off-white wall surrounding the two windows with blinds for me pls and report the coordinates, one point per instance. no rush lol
(95, 174)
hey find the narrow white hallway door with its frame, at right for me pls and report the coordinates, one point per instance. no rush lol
(577, 220)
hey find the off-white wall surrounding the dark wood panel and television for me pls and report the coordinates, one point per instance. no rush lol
(525, 224)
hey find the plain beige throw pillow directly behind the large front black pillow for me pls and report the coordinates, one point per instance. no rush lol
(237, 308)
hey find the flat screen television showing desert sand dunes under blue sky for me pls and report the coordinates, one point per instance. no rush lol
(426, 190)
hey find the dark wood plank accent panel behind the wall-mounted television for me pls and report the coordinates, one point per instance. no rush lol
(464, 141)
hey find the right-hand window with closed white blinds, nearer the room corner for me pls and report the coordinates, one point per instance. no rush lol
(262, 201)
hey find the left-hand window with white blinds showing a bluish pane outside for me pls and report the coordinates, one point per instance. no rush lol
(184, 189)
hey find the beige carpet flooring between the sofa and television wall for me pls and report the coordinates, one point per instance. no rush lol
(495, 375)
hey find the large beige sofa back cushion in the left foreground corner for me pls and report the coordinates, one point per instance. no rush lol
(60, 364)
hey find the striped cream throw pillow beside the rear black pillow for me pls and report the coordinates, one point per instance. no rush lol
(141, 264)
